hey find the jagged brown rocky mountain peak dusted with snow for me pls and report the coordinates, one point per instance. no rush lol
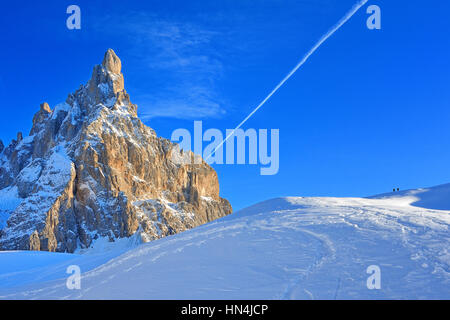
(90, 168)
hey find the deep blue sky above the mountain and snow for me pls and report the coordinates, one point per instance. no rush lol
(368, 112)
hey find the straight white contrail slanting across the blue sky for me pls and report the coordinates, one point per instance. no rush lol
(341, 22)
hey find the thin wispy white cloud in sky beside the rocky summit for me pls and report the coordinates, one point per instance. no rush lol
(182, 65)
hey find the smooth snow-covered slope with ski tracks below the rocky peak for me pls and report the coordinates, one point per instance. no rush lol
(285, 248)
